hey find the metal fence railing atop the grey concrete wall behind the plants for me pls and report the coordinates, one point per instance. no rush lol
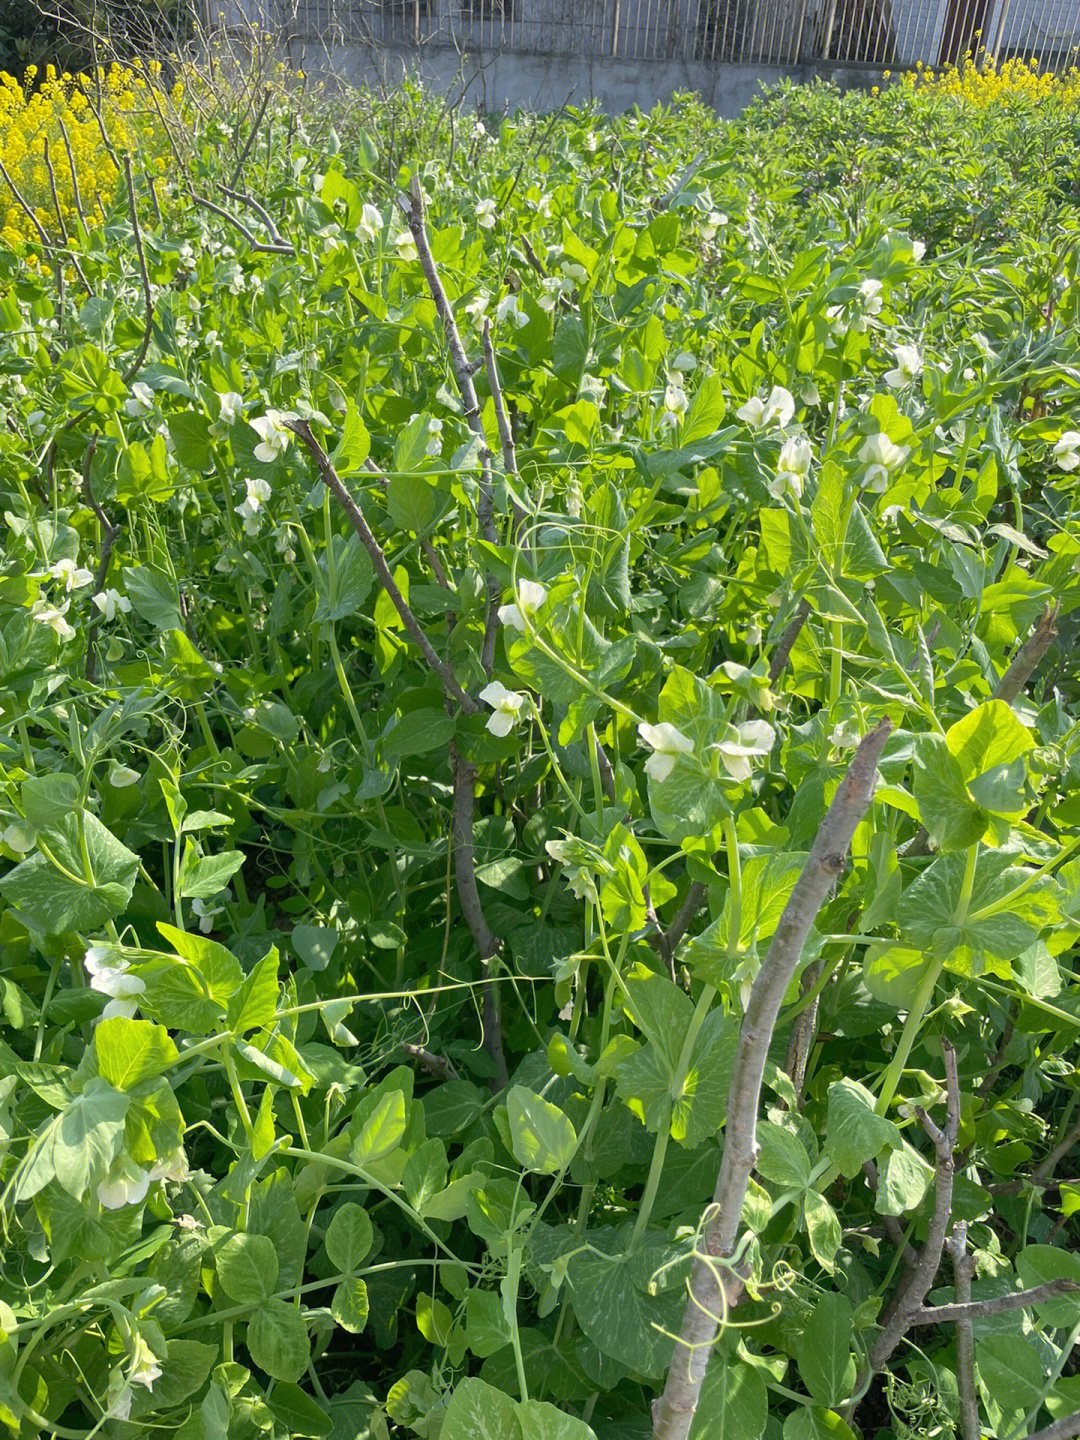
(881, 34)
